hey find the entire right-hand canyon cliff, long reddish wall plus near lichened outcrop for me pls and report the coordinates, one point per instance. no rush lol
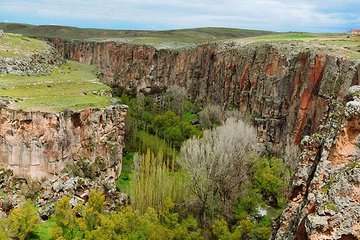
(294, 93)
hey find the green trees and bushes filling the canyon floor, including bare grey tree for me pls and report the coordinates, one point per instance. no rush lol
(190, 172)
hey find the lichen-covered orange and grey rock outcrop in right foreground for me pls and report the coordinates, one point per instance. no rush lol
(325, 198)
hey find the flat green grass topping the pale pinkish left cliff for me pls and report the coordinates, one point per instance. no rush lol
(69, 87)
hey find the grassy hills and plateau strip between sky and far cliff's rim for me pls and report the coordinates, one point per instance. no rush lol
(184, 38)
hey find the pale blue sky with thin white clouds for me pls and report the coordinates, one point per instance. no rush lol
(275, 15)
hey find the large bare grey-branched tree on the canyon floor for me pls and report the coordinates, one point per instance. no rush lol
(217, 164)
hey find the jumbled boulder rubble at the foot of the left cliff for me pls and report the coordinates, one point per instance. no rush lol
(46, 193)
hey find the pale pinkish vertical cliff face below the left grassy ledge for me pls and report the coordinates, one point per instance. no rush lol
(40, 144)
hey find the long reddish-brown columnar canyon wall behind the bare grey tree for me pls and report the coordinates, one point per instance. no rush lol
(286, 89)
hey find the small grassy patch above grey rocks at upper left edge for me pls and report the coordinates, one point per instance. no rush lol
(17, 47)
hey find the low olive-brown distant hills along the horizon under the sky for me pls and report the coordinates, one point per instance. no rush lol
(196, 35)
